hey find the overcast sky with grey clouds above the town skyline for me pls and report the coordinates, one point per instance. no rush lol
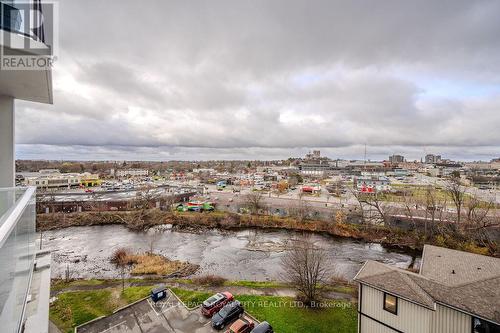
(160, 80)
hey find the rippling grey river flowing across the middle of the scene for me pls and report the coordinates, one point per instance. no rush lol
(237, 255)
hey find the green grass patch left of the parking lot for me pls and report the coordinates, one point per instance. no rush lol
(75, 308)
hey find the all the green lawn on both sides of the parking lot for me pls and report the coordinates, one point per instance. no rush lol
(77, 307)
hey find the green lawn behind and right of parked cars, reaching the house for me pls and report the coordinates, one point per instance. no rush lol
(287, 316)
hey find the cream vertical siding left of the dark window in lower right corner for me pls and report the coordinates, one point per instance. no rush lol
(447, 320)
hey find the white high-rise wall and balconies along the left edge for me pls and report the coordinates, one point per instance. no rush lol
(24, 270)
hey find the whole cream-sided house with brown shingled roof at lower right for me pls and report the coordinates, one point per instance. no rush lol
(454, 292)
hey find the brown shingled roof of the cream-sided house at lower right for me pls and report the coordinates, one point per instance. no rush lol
(466, 281)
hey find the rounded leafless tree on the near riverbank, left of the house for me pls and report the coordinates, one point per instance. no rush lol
(306, 268)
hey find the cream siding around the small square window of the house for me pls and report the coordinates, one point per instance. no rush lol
(411, 318)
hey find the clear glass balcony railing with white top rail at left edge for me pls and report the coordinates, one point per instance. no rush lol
(17, 253)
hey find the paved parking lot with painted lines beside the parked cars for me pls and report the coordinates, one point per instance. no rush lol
(166, 316)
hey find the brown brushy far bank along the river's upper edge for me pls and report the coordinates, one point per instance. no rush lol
(197, 222)
